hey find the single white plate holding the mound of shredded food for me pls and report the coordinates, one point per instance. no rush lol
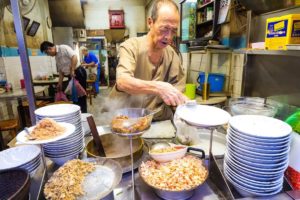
(21, 137)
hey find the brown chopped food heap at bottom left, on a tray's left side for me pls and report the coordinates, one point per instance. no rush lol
(65, 184)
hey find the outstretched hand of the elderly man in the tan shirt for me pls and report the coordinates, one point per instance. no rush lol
(170, 95)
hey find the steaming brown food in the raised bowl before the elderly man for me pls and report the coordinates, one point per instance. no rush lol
(124, 124)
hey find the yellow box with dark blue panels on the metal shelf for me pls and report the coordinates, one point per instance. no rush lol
(281, 31)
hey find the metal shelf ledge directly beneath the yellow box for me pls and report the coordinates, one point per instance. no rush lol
(293, 53)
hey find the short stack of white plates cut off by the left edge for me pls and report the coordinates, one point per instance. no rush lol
(26, 157)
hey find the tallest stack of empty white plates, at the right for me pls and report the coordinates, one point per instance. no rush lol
(257, 154)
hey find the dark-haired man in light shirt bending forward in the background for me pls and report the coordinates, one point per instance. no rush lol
(66, 63)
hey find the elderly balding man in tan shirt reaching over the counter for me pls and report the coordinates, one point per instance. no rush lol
(150, 67)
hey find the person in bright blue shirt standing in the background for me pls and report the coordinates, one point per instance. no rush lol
(90, 62)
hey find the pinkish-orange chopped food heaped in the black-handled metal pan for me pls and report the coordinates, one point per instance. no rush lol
(177, 175)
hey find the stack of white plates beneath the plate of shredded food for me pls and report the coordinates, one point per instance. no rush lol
(68, 148)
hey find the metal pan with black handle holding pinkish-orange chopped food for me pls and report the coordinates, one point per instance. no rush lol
(178, 195)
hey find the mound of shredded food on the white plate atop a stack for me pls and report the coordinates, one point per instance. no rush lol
(46, 129)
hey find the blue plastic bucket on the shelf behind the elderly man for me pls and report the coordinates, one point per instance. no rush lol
(216, 81)
